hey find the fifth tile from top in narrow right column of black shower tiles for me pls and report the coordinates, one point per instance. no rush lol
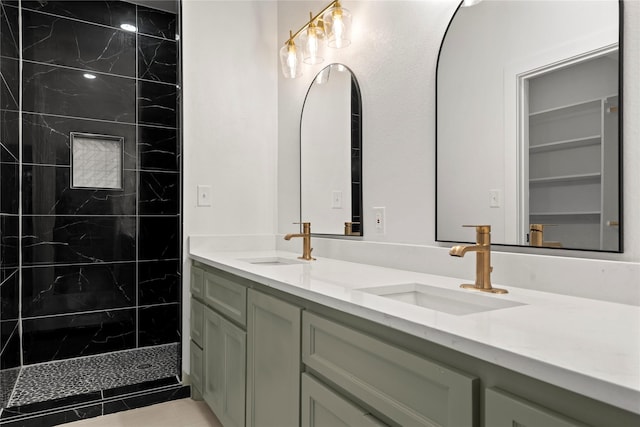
(159, 193)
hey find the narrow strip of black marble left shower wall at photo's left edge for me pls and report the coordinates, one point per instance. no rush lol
(9, 196)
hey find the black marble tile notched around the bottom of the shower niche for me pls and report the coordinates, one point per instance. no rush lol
(47, 191)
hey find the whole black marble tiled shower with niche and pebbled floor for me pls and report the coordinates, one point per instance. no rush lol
(90, 212)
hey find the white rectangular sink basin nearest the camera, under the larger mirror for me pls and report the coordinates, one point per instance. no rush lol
(457, 302)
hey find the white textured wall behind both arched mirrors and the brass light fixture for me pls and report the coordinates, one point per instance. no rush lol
(393, 55)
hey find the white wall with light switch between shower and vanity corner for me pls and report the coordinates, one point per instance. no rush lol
(230, 121)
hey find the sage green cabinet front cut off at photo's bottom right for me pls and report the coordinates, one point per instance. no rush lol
(506, 410)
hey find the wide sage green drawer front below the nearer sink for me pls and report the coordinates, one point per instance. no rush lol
(409, 389)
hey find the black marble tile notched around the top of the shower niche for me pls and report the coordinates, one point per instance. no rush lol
(45, 138)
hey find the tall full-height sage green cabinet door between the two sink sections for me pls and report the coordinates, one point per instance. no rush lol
(273, 361)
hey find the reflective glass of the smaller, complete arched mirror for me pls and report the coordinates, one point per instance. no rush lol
(330, 153)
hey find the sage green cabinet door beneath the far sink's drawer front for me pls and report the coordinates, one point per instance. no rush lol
(224, 369)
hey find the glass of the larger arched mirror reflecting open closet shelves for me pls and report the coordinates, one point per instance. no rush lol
(528, 120)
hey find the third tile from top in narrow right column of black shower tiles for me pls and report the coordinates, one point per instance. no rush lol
(157, 104)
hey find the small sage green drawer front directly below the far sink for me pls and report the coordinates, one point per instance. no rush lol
(226, 296)
